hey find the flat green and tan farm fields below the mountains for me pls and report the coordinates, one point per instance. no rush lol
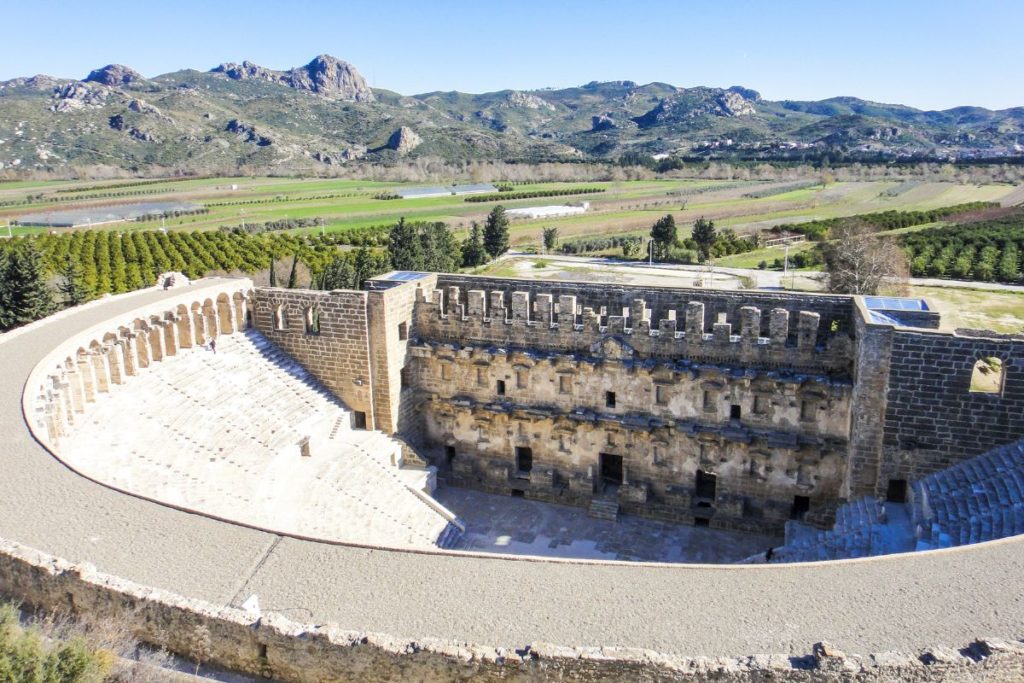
(625, 207)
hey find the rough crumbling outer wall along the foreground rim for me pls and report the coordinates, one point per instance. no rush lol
(275, 648)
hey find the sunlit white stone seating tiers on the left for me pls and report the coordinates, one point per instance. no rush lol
(226, 434)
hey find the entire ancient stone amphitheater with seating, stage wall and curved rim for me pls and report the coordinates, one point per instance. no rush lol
(260, 464)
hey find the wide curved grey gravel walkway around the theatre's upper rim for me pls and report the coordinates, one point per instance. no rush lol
(941, 599)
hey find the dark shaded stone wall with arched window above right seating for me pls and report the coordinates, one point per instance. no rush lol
(932, 418)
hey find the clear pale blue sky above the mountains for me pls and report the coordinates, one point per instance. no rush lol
(931, 55)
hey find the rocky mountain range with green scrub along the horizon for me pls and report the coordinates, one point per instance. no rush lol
(244, 116)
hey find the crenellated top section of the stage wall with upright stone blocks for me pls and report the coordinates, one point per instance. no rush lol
(646, 326)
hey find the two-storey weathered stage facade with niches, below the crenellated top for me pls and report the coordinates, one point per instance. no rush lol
(769, 437)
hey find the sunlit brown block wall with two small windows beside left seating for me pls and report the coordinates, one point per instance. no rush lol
(337, 354)
